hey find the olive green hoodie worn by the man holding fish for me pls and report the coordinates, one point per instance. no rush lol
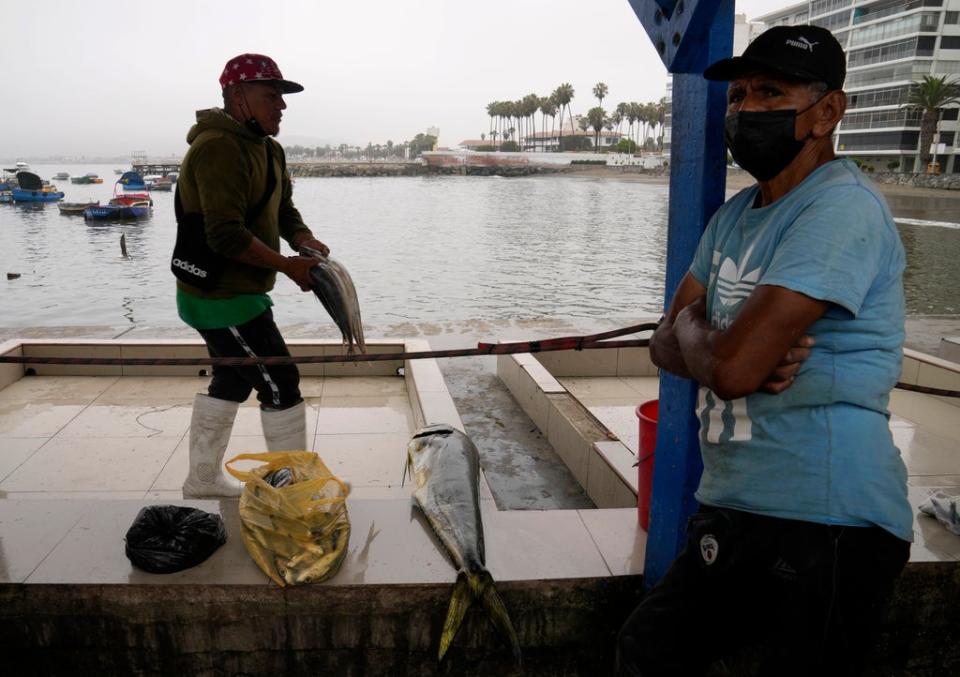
(223, 174)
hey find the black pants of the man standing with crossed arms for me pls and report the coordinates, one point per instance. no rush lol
(807, 597)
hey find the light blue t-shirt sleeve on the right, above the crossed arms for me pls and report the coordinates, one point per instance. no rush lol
(834, 249)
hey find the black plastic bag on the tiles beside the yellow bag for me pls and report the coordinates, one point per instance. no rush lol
(168, 538)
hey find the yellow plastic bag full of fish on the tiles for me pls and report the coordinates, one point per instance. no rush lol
(293, 516)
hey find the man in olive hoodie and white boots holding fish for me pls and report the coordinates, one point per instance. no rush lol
(246, 207)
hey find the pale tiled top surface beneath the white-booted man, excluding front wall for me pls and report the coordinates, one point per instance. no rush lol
(80, 454)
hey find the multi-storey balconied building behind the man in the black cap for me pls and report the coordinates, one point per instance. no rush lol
(890, 45)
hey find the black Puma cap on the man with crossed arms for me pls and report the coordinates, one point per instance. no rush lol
(807, 53)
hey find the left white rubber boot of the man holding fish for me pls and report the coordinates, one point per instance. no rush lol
(210, 428)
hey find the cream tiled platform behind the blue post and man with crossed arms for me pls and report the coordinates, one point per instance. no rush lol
(610, 384)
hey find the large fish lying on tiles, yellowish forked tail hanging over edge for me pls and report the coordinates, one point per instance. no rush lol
(445, 467)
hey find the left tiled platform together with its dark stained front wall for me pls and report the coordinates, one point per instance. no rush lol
(81, 454)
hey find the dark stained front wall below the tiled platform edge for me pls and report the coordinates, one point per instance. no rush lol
(565, 627)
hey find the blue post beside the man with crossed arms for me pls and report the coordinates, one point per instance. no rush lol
(689, 36)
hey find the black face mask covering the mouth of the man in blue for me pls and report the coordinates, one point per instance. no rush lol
(763, 142)
